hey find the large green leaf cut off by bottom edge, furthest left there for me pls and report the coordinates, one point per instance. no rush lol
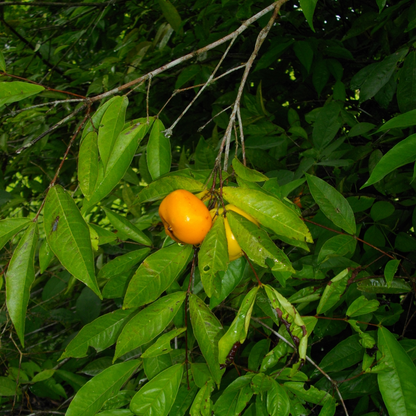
(94, 393)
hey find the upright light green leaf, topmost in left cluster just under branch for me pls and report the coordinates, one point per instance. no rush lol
(110, 127)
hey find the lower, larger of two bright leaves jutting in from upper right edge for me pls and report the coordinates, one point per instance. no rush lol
(401, 154)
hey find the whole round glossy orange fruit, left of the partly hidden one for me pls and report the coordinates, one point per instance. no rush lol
(185, 217)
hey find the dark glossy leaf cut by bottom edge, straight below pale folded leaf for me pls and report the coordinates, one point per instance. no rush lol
(235, 397)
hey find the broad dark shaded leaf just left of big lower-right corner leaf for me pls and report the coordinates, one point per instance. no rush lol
(345, 354)
